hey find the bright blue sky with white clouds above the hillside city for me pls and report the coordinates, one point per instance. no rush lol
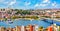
(30, 4)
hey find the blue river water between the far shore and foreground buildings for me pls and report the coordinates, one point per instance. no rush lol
(27, 22)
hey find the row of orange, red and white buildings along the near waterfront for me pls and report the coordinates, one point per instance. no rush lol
(54, 27)
